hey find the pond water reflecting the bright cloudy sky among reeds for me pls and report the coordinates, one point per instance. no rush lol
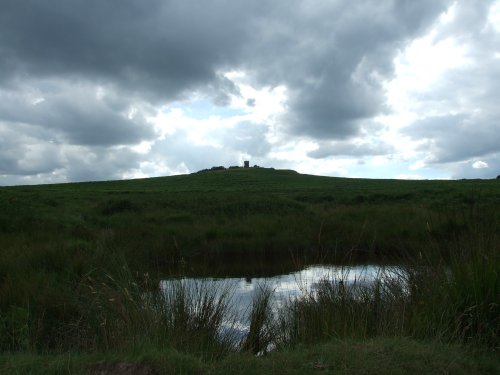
(285, 287)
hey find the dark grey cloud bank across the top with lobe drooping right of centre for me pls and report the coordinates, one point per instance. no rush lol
(163, 48)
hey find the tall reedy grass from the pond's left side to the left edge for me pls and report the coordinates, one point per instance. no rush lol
(110, 308)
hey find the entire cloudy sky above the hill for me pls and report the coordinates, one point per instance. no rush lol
(118, 89)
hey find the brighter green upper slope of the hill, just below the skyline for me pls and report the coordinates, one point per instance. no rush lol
(291, 183)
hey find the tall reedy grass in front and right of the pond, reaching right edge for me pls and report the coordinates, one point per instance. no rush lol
(452, 294)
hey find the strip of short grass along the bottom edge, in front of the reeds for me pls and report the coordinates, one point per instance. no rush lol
(373, 356)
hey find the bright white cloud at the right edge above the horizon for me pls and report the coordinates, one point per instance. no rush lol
(458, 118)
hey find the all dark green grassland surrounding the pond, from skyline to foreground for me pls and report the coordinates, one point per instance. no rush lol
(79, 269)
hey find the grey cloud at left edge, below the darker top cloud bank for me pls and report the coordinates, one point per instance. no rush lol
(74, 114)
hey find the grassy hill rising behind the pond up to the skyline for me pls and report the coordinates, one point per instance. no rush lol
(247, 210)
